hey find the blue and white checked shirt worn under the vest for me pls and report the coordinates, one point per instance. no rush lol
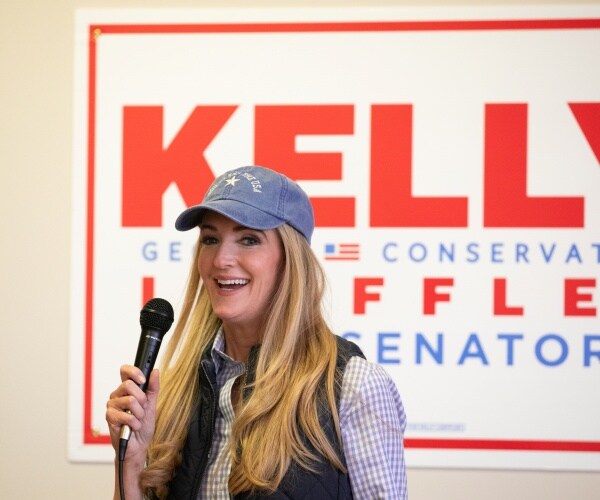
(372, 421)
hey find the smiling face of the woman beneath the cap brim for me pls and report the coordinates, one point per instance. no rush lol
(240, 268)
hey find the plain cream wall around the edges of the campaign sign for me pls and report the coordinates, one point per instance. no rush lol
(36, 87)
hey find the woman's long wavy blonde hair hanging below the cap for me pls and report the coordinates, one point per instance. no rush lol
(295, 368)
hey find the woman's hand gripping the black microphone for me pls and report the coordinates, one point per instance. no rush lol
(129, 405)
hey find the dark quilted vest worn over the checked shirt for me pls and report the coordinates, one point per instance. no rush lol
(298, 483)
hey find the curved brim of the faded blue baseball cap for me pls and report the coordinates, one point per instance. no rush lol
(241, 213)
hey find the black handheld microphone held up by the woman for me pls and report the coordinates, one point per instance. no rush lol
(156, 317)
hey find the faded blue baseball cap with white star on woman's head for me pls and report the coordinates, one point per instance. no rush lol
(255, 197)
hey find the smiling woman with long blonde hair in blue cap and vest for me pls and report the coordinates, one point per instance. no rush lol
(259, 398)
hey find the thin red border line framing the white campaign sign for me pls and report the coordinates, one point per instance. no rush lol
(90, 436)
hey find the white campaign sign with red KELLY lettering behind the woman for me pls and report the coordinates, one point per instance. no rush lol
(452, 158)
